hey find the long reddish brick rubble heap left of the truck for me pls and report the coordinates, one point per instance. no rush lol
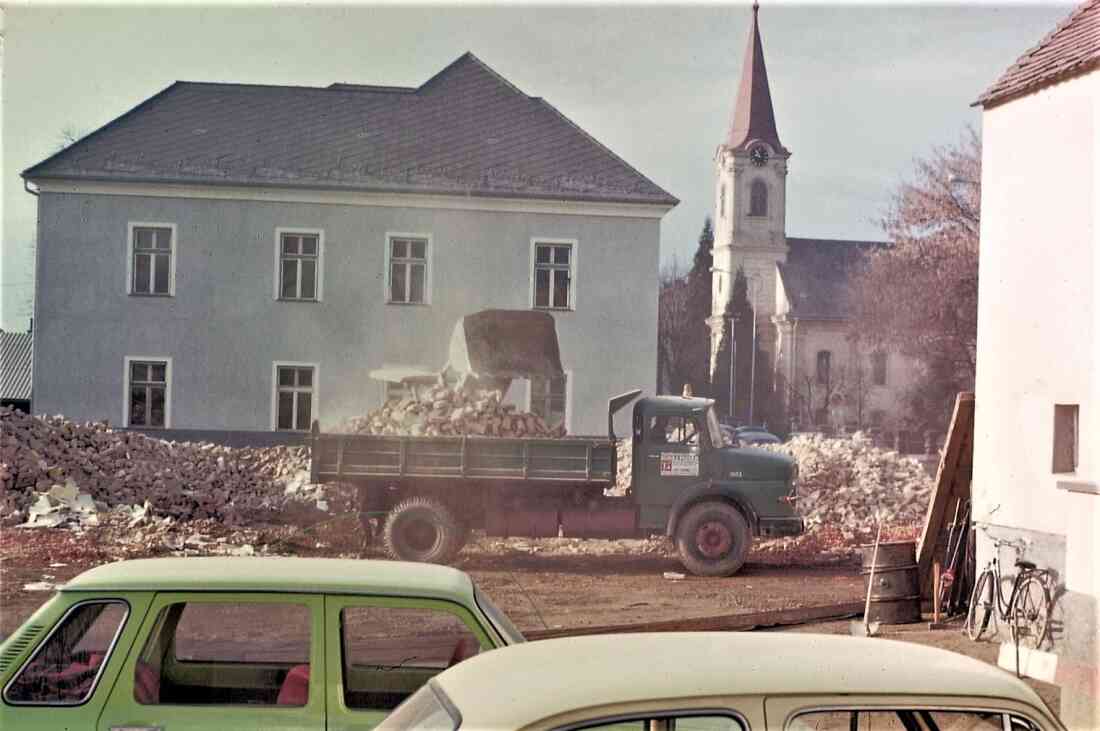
(54, 460)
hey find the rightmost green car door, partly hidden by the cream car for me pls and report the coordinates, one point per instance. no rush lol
(380, 650)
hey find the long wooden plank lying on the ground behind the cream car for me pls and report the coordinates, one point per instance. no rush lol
(723, 624)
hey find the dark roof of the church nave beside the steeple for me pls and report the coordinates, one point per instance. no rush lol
(818, 274)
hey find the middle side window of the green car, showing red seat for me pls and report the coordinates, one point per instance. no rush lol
(227, 654)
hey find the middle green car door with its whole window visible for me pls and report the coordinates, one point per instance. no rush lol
(211, 660)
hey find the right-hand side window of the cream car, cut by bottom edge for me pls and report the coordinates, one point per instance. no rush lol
(901, 719)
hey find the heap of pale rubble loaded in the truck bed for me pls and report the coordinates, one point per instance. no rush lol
(452, 412)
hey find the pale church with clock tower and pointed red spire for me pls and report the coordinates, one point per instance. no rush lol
(818, 375)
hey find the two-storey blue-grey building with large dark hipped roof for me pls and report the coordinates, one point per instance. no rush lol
(241, 258)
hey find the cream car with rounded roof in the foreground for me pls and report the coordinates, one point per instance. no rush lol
(723, 682)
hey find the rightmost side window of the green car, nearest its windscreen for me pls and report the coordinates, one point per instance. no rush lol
(390, 652)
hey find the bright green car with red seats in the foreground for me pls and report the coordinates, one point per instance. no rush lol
(181, 645)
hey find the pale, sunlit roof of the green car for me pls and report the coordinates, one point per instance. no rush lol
(277, 574)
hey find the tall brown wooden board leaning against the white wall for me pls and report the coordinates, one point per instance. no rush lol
(952, 491)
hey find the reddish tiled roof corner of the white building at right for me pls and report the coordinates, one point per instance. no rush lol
(1070, 50)
